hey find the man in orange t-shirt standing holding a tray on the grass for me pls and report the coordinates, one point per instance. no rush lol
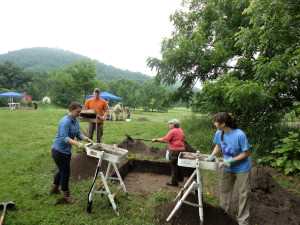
(100, 106)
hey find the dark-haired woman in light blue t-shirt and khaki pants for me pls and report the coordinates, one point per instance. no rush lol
(233, 144)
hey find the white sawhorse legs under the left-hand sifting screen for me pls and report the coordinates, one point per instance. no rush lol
(104, 188)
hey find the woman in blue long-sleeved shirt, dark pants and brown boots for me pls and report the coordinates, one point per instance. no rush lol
(68, 134)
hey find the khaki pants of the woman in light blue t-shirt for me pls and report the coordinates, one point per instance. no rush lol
(242, 181)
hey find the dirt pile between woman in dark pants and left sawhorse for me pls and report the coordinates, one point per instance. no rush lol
(83, 166)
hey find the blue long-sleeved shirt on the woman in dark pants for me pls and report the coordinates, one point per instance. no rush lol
(68, 128)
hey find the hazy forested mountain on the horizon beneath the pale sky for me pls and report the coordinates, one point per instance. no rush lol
(47, 59)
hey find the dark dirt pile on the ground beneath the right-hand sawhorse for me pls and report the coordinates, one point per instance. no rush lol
(189, 215)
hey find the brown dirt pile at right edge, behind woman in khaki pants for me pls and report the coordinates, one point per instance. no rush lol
(271, 204)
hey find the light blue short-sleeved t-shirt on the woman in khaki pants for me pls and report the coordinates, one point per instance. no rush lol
(234, 143)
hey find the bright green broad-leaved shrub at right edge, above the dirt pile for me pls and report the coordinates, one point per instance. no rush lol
(286, 155)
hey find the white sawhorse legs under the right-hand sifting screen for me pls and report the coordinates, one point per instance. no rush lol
(190, 185)
